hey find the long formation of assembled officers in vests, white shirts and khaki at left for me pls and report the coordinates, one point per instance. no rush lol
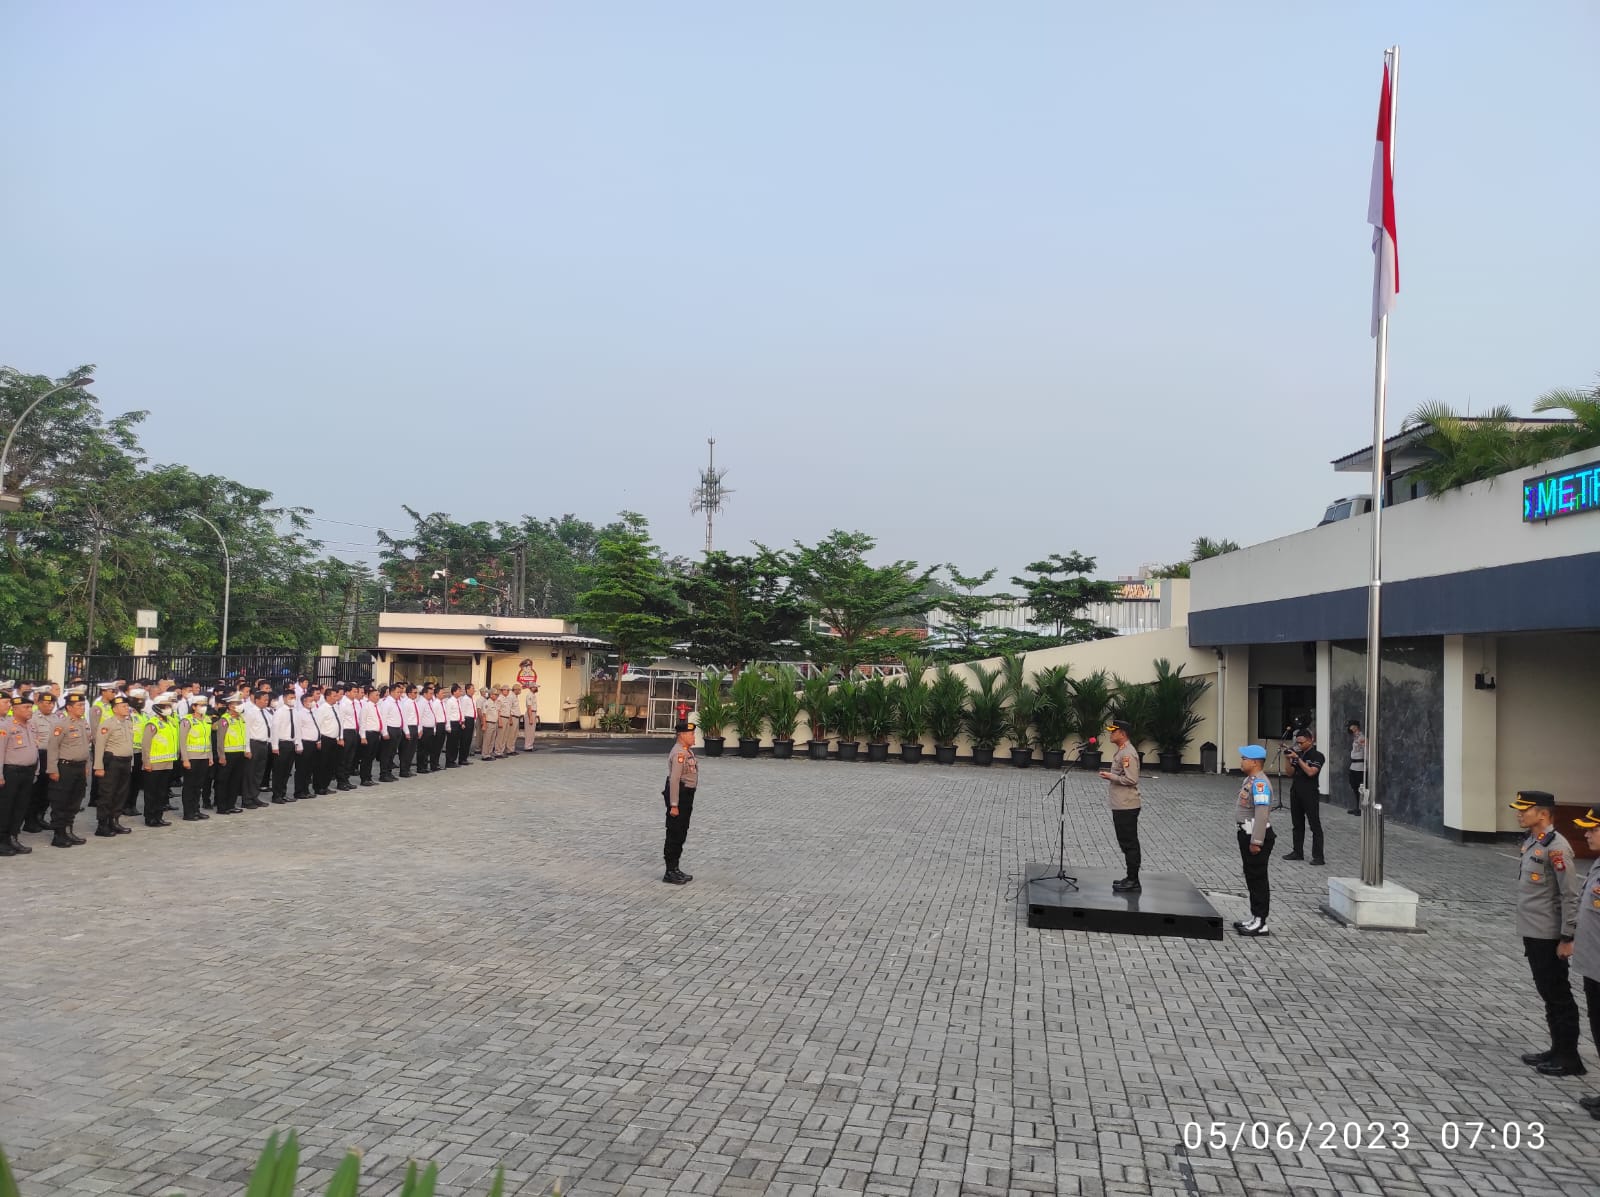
(226, 750)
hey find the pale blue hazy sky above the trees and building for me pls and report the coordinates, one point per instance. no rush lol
(985, 281)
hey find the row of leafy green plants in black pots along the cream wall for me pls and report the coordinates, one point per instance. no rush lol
(1004, 705)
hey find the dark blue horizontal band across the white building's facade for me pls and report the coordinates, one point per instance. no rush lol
(1546, 596)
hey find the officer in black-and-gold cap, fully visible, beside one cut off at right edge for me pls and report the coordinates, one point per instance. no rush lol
(1548, 892)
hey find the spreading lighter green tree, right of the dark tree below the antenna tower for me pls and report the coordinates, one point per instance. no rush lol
(865, 607)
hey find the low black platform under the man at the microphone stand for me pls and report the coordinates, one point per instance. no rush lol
(1167, 905)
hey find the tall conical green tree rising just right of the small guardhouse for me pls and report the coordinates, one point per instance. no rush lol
(633, 601)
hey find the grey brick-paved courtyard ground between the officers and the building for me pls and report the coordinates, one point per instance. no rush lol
(486, 967)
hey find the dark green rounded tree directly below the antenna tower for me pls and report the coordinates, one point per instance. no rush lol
(738, 609)
